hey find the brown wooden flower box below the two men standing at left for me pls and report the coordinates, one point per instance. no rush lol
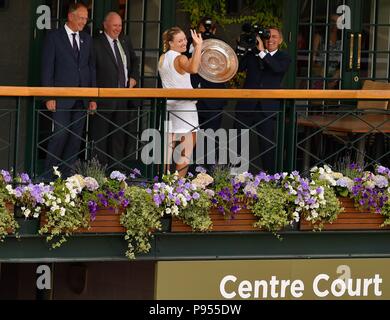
(106, 221)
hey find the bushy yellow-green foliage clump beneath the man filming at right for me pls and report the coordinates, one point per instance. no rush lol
(271, 208)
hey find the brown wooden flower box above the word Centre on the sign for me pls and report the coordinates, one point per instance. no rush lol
(243, 220)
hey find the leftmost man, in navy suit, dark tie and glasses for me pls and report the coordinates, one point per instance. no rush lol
(67, 61)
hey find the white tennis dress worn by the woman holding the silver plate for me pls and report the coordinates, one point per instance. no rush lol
(181, 114)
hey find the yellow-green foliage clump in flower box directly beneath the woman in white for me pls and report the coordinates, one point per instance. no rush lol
(196, 214)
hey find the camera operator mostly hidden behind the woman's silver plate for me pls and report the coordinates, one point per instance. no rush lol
(209, 110)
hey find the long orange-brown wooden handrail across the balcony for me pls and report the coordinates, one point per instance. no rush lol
(13, 91)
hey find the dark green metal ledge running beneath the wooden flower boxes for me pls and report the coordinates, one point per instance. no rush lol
(205, 246)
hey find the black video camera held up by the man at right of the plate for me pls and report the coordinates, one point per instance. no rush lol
(248, 42)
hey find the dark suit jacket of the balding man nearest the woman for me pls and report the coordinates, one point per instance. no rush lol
(106, 66)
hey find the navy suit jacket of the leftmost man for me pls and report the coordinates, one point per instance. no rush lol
(60, 68)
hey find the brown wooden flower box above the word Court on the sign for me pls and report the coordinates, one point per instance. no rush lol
(350, 219)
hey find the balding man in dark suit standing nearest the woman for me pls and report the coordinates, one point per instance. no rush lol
(116, 67)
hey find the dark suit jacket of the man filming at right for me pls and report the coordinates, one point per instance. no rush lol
(265, 73)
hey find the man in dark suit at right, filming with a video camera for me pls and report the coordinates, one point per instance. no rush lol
(264, 70)
